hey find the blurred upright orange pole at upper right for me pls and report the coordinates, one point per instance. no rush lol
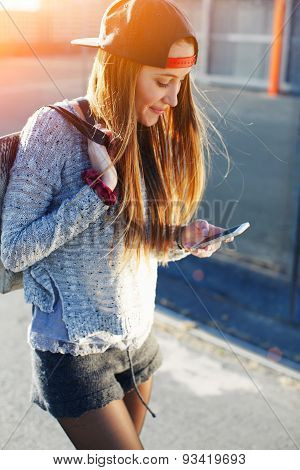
(275, 53)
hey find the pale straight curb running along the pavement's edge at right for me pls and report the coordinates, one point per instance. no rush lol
(167, 317)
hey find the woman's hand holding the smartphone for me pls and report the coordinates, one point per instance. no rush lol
(197, 231)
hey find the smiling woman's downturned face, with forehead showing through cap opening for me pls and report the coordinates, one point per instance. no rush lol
(155, 89)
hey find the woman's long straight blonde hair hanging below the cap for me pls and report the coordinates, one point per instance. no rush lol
(173, 156)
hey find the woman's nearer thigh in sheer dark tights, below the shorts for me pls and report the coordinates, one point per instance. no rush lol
(106, 428)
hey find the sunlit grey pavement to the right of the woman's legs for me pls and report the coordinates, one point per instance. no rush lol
(225, 400)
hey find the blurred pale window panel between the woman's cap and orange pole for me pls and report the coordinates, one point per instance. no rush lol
(241, 31)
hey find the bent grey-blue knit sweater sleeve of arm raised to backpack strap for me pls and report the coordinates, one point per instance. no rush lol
(29, 231)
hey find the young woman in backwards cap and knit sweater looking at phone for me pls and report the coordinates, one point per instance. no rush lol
(88, 225)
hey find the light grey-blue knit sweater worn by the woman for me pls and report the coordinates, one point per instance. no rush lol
(55, 227)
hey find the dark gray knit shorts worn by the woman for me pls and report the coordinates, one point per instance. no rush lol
(67, 385)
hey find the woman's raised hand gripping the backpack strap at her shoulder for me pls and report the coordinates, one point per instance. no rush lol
(100, 160)
